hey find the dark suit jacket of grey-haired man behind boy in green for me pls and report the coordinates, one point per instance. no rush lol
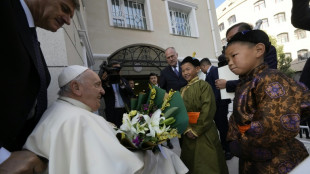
(169, 80)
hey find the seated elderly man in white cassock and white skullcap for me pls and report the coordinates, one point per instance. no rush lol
(77, 141)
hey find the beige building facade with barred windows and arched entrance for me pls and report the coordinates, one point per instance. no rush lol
(133, 32)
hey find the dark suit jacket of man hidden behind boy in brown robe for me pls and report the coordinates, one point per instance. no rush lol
(270, 59)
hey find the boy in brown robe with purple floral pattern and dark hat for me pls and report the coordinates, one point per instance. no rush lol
(267, 110)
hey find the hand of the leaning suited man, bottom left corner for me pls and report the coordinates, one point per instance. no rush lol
(22, 162)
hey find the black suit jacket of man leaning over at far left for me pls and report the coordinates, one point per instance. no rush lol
(20, 78)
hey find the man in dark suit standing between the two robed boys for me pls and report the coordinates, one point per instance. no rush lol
(220, 117)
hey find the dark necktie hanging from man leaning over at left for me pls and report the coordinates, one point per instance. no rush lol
(42, 95)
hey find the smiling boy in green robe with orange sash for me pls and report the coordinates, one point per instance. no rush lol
(201, 148)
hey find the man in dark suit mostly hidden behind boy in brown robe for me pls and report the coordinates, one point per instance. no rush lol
(270, 57)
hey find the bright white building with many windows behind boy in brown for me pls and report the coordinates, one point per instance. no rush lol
(276, 21)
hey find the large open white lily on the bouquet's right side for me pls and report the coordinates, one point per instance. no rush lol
(153, 122)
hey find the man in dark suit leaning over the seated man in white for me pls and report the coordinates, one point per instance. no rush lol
(25, 76)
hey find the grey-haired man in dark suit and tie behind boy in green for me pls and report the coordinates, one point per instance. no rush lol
(171, 76)
